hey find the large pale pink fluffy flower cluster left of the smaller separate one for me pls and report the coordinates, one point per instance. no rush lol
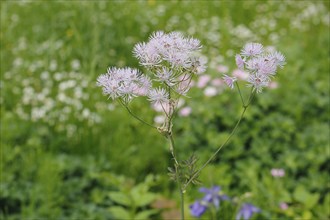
(171, 58)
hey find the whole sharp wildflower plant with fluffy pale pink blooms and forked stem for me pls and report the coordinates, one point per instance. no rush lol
(170, 61)
